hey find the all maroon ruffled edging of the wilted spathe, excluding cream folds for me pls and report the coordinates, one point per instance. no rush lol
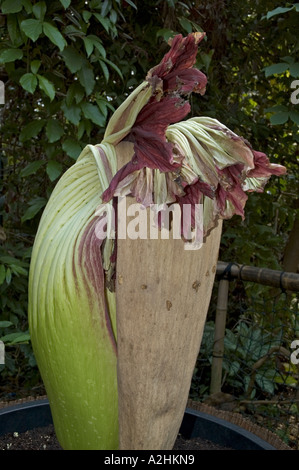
(171, 81)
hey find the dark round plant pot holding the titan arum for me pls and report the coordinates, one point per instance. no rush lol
(27, 416)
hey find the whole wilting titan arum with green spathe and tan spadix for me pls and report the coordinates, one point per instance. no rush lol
(116, 323)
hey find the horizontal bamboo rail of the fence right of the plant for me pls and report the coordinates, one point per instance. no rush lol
(269, 277)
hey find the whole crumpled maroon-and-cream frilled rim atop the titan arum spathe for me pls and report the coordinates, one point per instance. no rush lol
(194, 161)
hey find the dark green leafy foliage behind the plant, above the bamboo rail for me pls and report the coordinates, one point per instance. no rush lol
(68, 64)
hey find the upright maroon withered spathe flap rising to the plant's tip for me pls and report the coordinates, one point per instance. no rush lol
(173, 78)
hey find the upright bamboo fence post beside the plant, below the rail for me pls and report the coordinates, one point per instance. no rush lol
(218, 349)
